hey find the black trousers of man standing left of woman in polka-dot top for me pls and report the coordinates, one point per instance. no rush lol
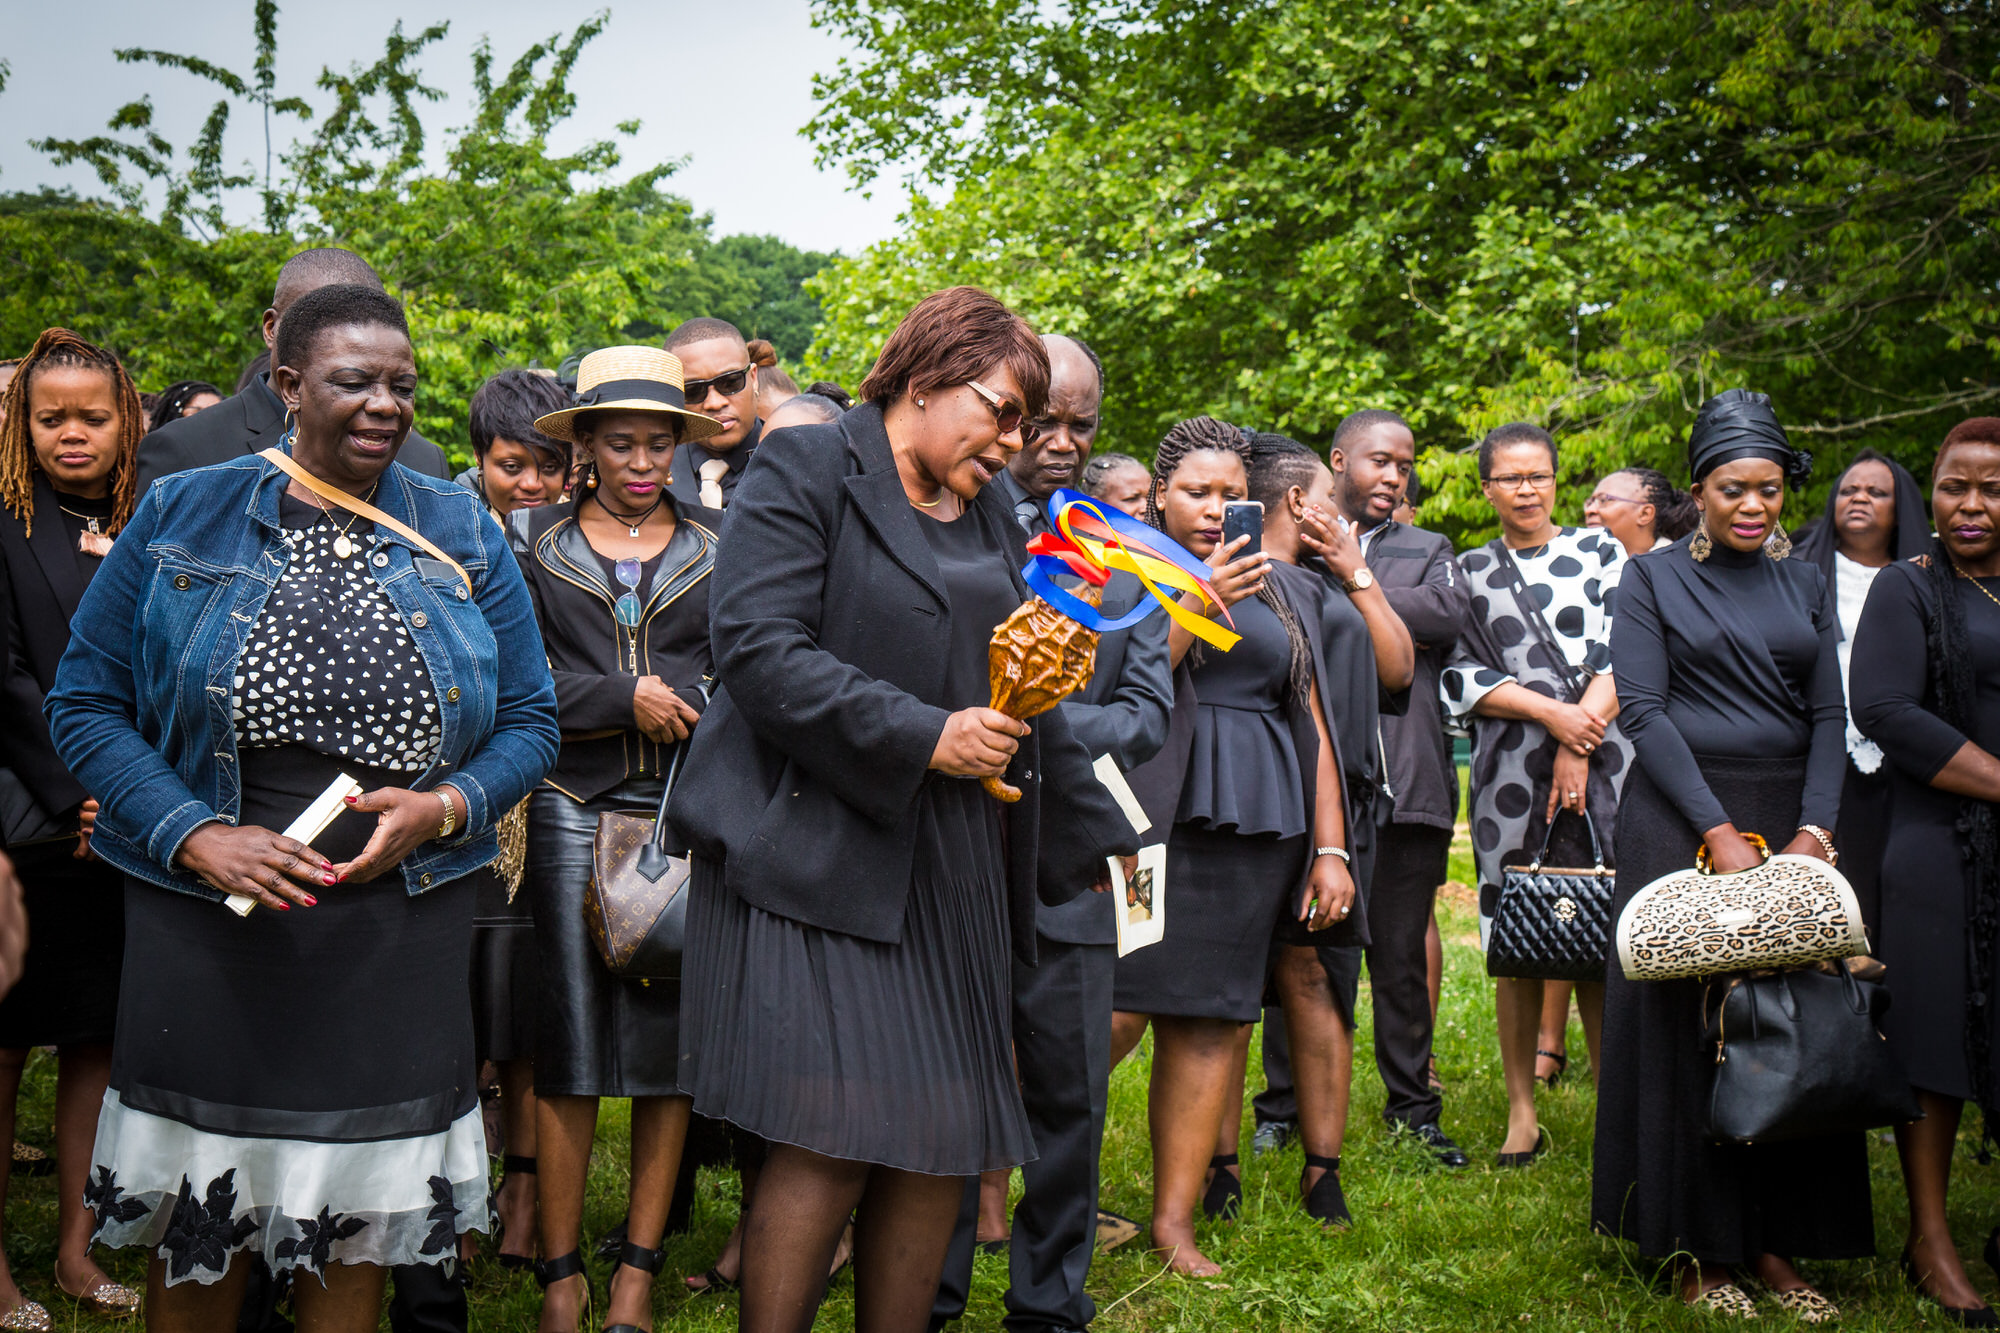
(1403, 890)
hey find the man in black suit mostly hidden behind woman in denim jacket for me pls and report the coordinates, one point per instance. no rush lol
(253, 421)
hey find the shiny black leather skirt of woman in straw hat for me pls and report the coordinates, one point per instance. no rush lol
(595, 1034)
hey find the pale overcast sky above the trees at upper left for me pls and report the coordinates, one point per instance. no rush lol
(723, 85)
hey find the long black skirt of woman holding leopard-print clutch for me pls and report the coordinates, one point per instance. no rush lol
(1659, 1182)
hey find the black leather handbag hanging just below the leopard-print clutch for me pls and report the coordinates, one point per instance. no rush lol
(1801, 1056)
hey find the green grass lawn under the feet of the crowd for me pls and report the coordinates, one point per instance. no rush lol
(1473, 1250)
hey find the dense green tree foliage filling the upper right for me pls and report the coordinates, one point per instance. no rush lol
(1587, 213)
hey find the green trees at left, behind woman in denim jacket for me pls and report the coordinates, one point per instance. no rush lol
(505, 251)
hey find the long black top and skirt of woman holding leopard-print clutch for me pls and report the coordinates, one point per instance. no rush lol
(1729, 688)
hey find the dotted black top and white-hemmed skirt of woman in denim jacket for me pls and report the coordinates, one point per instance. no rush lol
(301, 1084)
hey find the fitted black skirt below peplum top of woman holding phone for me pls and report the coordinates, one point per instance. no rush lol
(1225, 898)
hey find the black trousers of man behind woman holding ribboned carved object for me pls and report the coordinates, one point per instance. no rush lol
(1063, 1046)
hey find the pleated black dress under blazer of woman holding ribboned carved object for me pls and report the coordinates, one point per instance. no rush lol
(887, 1054)
